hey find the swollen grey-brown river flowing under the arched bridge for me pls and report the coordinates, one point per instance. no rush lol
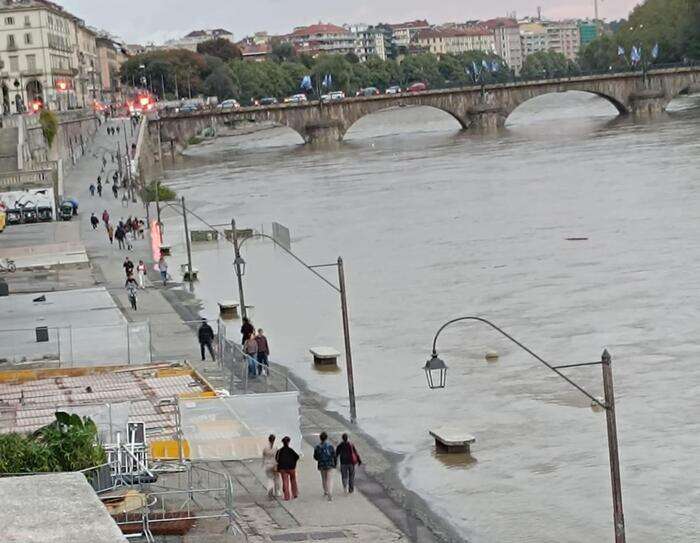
(435, 223)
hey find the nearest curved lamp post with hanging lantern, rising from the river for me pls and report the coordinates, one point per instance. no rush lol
(436, 374)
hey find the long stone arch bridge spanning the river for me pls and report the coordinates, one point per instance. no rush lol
(472, 107)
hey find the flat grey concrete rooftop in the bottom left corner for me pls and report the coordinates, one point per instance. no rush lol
(63, 507)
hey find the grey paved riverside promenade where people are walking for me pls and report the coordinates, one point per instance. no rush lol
(370, 515)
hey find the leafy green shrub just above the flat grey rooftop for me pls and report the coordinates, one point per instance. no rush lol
(67, 444)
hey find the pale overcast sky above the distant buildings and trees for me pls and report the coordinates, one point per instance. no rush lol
(145, 21)
